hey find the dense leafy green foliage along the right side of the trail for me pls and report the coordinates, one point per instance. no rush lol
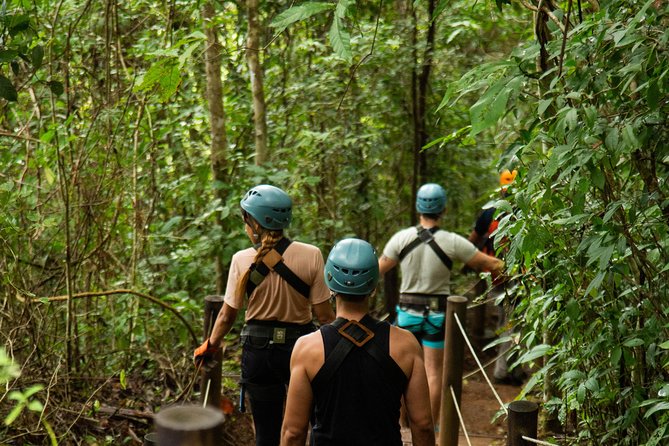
(587, 225)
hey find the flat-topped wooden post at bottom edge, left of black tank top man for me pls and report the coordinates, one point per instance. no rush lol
(189, 426)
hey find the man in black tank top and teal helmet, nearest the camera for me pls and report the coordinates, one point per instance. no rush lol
(348, 378)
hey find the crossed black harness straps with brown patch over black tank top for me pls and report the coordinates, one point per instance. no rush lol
(358, 334)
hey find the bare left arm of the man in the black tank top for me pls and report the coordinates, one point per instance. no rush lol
(300, 396)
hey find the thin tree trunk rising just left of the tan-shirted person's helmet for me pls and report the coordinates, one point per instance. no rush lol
(219, 143)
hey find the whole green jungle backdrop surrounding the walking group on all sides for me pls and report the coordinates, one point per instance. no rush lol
(111, 218)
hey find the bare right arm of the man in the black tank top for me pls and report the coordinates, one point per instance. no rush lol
(417, 399)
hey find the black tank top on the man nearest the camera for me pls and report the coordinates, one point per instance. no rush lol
(360, 404)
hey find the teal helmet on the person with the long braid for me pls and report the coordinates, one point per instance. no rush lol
(269, 206)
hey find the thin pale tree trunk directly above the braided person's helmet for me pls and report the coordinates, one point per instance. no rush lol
(255, 71)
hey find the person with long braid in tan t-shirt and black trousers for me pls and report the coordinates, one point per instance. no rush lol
(281, 282)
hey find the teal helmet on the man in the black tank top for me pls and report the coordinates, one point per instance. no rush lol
(352, 268)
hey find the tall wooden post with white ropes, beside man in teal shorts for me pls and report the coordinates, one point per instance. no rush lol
(449, 423)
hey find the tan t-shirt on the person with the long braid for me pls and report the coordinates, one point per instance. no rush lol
(274, 298)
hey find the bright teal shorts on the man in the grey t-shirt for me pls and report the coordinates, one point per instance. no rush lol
(427, 325)
